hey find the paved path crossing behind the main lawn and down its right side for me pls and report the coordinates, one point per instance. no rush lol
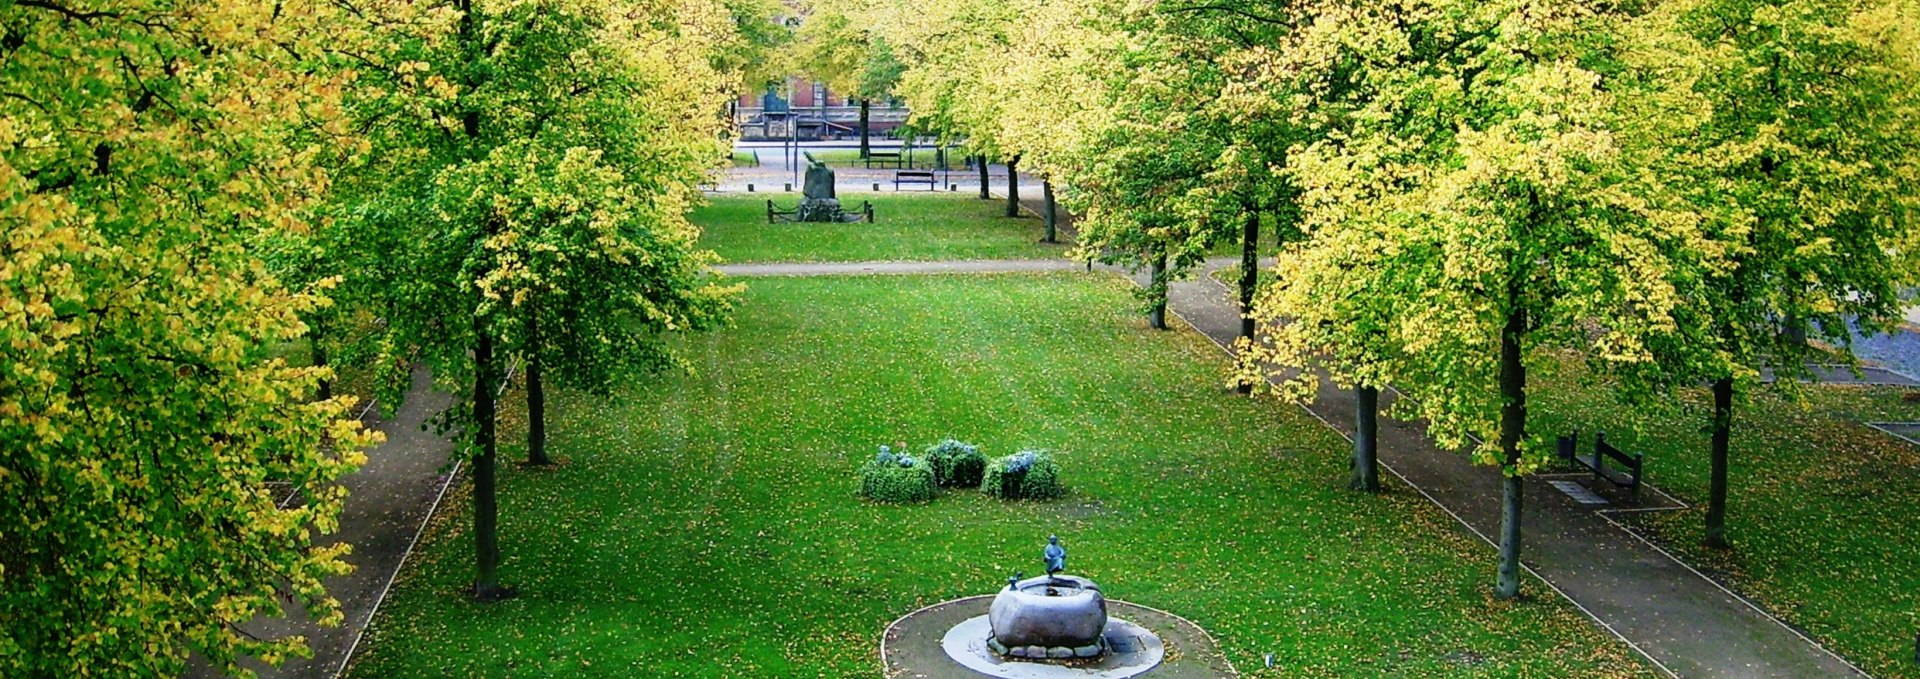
(1679, 619)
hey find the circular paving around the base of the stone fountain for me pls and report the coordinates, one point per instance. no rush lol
(938, 644)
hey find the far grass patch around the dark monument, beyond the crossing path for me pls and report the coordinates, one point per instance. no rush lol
(907, 227)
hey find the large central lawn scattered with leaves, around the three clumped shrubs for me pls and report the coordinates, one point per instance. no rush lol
(709, 527)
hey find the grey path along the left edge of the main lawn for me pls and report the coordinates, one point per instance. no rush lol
(389, 503)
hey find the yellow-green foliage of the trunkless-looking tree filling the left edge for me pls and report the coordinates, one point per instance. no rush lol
(145, 415)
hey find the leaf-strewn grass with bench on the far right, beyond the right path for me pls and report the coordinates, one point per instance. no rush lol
(1821, 505)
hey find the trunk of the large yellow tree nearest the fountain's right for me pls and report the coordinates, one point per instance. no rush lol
(1512, 433)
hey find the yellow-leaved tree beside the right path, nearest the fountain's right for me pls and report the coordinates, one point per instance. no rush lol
(1466, 202)
